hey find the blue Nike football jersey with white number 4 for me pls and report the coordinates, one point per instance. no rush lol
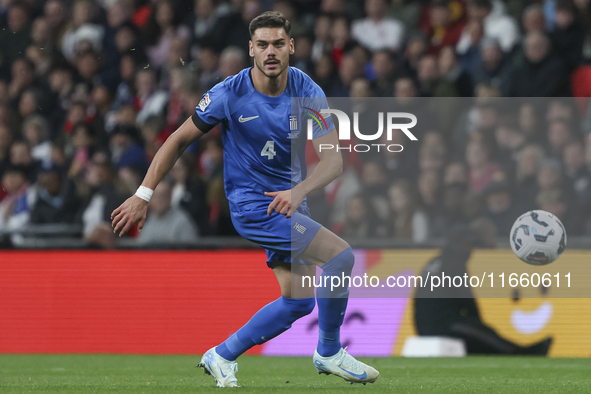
(264, 141)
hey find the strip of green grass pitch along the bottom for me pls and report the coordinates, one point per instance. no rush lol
(178, 374)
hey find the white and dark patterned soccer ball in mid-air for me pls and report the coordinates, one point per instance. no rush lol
(538, 237)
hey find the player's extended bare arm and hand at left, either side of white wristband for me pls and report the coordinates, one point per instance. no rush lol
(134, 209)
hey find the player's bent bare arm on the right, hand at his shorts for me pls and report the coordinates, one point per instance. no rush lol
(328, 169)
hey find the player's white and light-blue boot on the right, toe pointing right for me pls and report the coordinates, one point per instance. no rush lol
(344, 365)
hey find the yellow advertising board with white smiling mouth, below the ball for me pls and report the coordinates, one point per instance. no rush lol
(524, 313)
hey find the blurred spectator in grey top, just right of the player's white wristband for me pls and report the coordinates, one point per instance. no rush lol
(166, 224)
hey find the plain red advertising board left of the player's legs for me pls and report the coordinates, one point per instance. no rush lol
(137, 302)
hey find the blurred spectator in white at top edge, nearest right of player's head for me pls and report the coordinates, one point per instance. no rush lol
(378, 31)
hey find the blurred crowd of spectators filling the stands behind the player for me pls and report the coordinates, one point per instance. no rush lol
(89, 90)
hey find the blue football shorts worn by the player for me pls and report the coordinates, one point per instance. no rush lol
(281, 237)
